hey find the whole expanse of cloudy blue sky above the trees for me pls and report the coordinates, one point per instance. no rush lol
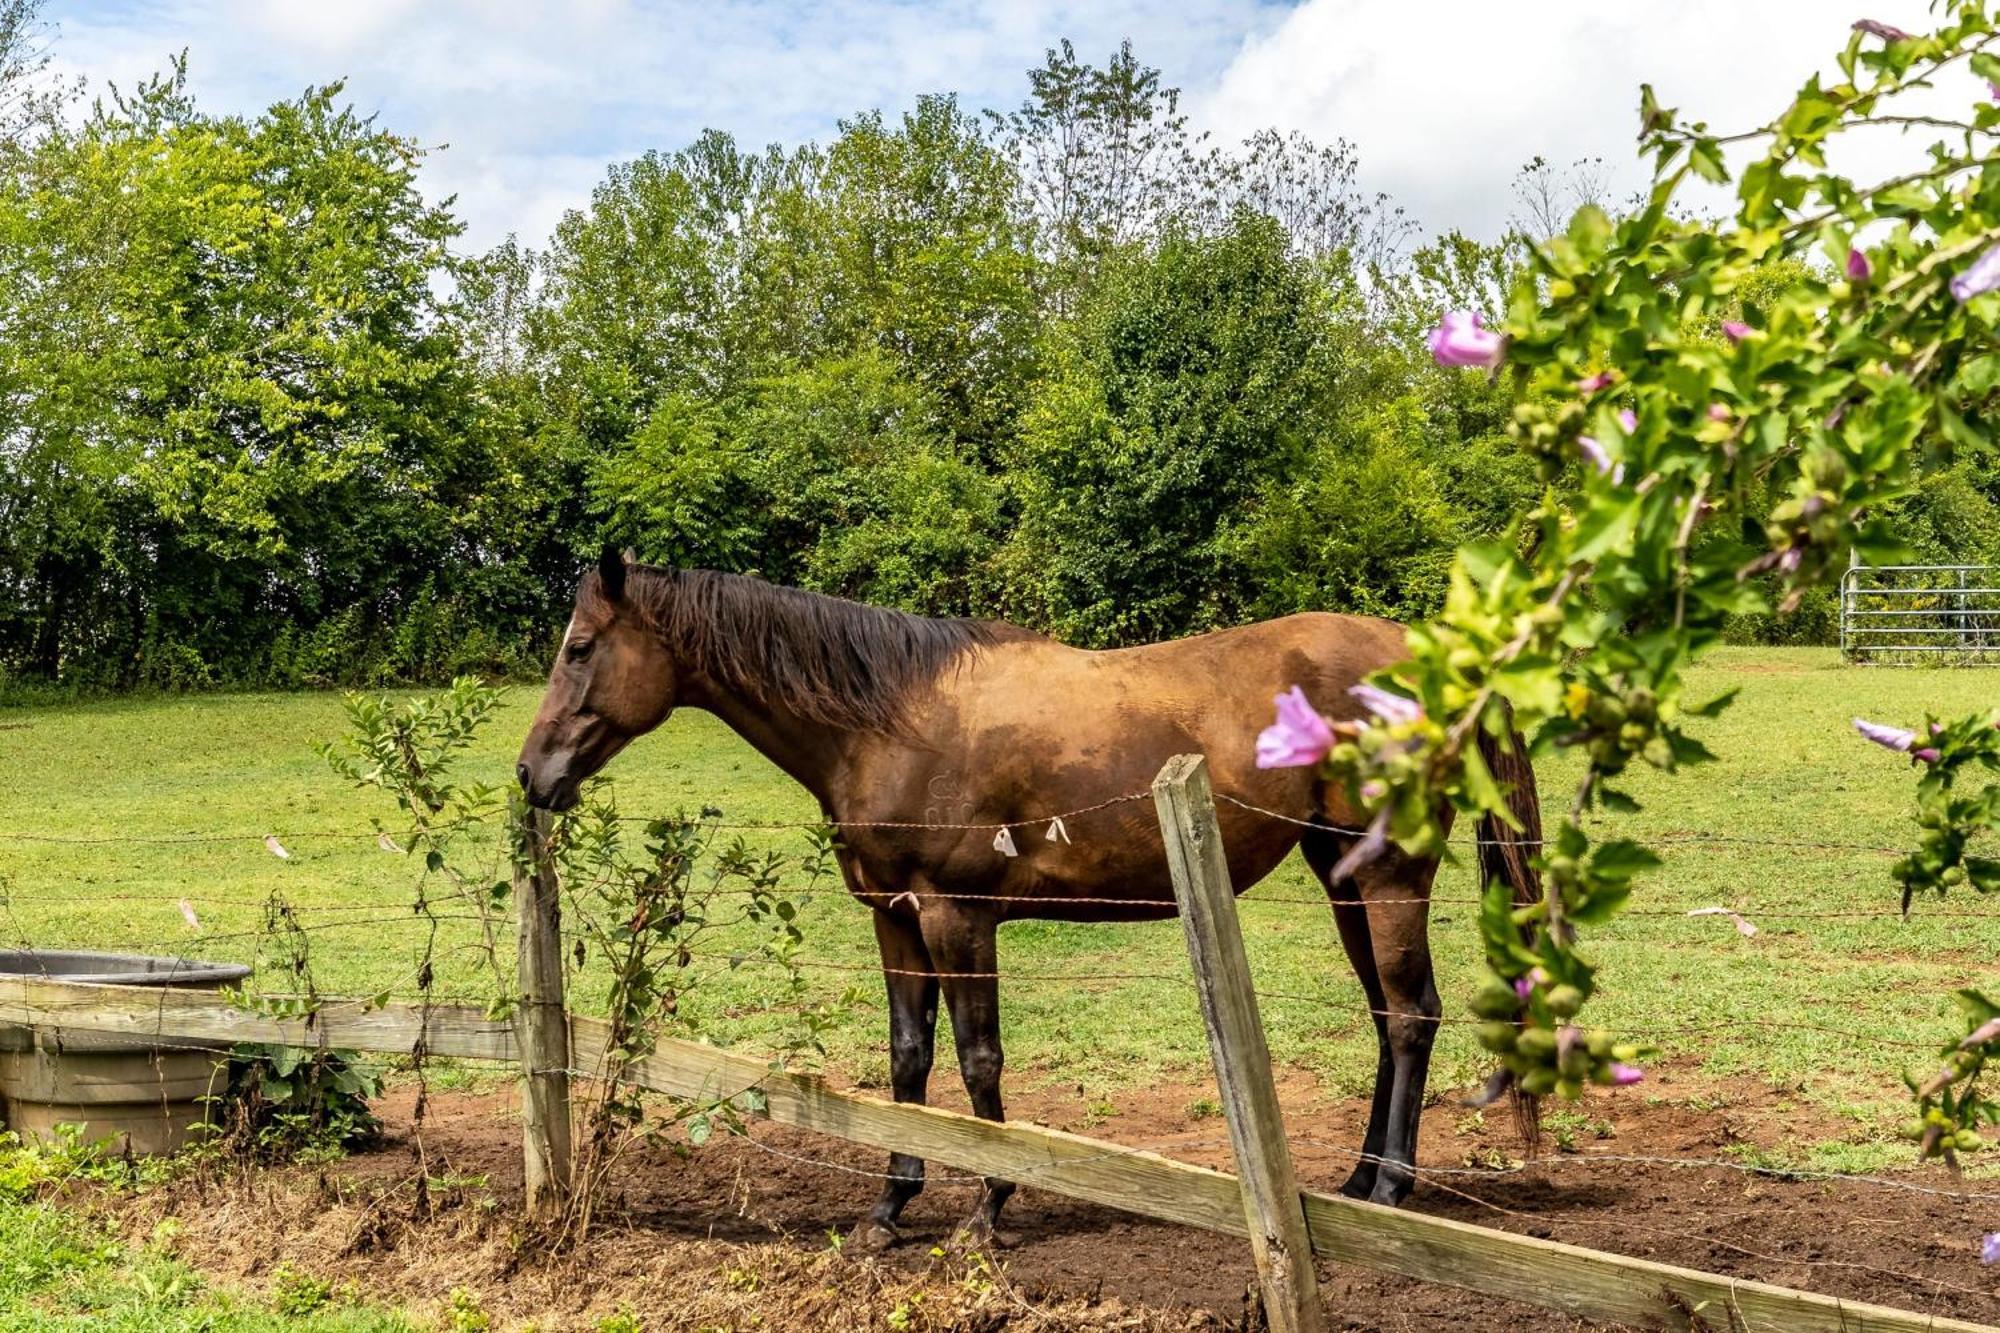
(529, 103)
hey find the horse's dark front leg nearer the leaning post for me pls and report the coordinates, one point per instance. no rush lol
(963, 946)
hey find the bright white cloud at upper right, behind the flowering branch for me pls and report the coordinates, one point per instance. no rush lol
(1447, 101)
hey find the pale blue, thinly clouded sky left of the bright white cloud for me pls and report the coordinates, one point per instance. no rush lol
(535, 99)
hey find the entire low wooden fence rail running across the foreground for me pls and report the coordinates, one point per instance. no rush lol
(1567, 1278)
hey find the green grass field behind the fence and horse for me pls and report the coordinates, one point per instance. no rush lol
(1791, 770)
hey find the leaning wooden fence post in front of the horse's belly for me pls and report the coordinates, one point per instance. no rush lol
(1273, 1210)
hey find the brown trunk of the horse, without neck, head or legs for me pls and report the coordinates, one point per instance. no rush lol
(1029, 730)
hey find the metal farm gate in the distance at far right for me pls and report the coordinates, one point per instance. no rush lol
(1921, 613)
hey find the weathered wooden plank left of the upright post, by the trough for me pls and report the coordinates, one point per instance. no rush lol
(205, 1016)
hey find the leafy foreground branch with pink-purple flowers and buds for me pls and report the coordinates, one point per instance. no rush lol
(1769, 383)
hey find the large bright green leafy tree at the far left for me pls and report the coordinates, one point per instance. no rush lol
(233, 403)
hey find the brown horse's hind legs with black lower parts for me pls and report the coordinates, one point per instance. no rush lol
(1383, 918)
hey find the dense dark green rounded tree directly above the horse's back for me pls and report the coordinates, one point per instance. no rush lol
(1177, 397)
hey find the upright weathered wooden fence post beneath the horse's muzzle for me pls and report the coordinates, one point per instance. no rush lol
(541, 1022)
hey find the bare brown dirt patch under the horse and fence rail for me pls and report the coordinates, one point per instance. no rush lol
(737, 1236)
